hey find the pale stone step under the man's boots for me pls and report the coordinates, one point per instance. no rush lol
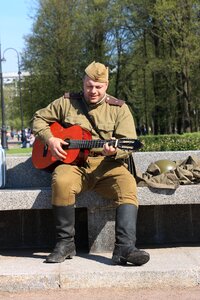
(168, 268)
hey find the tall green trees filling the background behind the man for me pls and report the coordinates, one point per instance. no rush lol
(151, 47)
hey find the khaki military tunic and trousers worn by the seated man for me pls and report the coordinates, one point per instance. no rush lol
(108, 176)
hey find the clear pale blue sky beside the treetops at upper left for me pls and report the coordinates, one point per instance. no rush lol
(15, 23)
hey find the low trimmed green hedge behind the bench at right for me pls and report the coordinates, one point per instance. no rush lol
(173, 142)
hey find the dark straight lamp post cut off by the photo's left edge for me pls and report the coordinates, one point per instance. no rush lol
(3, 127)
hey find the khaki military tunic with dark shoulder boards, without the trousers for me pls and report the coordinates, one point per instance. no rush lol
(111, 116)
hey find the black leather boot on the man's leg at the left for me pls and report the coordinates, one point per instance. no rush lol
(64, 222)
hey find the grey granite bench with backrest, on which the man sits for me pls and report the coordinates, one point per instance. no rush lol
(165, 216)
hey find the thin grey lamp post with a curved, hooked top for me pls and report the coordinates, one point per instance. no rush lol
(23, 137)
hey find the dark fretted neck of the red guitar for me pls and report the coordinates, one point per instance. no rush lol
(88, 144)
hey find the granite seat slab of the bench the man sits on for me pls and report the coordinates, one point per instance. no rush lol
(40, 198)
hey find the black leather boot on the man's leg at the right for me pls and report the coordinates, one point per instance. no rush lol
(125, 231)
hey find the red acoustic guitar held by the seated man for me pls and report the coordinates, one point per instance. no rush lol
(79, 142)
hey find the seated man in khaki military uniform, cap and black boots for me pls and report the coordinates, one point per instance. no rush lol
(104, 172)
